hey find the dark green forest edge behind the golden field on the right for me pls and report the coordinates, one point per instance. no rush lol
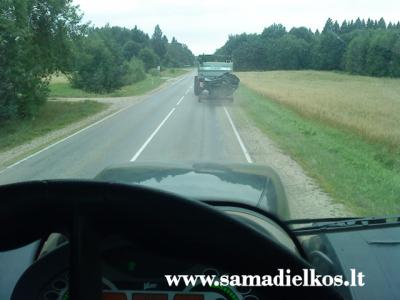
(362, 47)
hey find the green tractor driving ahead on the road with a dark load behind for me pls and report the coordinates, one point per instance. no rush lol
(215, 78)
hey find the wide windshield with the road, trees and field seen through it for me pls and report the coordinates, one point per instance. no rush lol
(292, 107)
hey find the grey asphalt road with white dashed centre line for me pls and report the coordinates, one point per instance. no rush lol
(169, 125)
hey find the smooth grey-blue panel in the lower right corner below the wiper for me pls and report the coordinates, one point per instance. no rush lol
(374, 252)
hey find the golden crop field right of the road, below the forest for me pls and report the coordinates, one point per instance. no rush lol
(366, 105)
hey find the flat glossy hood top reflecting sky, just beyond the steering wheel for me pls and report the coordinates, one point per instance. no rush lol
(223, 185)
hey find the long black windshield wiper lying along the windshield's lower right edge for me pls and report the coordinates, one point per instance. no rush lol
(328, 225)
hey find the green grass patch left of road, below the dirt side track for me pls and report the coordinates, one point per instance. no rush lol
(53, 115)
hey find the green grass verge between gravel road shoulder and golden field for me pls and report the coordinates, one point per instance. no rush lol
(362, 175)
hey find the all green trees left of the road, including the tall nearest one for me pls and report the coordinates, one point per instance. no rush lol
(41, 37)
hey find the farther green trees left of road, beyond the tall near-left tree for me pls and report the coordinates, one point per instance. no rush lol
(110, 57)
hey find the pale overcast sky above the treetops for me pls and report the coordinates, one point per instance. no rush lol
(204, 25)
